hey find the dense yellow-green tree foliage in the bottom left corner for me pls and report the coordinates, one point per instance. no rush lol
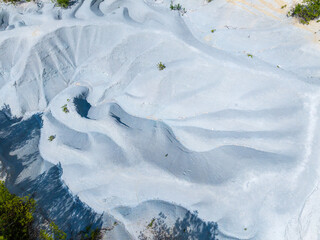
(15, 215)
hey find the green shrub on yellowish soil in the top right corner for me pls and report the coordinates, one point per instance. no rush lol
(306, 11)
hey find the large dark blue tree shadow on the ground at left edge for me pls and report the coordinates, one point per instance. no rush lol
(54, 199)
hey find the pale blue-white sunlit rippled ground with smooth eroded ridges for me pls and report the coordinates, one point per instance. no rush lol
(231, 136)
